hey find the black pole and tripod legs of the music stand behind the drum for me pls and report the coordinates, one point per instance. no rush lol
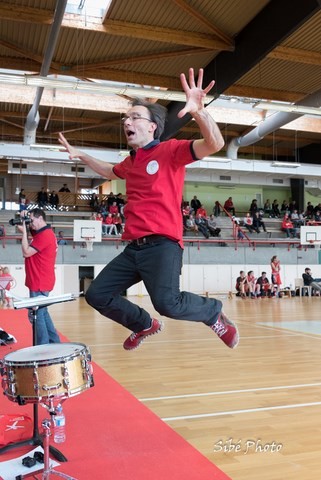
(36, 439)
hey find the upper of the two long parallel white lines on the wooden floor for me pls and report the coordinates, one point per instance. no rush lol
(230, 392)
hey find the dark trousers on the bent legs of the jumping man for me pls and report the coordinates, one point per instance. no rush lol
(158, 264)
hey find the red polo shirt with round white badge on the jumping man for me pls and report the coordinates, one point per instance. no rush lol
(154, 186)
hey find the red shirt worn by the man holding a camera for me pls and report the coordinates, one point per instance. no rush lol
(40, 268)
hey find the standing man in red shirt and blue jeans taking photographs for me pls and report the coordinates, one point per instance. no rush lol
(40, 256)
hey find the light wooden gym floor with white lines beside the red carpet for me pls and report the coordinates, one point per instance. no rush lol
(255, 412)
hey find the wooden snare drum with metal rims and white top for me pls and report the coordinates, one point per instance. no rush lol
(55, 370)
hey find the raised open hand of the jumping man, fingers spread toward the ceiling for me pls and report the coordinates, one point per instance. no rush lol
(195, 94)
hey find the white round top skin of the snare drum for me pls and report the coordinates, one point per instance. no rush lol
(47, 352)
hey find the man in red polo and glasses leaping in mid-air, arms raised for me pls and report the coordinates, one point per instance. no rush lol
(154, 173)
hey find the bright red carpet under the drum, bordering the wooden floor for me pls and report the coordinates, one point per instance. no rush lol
(110, 434)
